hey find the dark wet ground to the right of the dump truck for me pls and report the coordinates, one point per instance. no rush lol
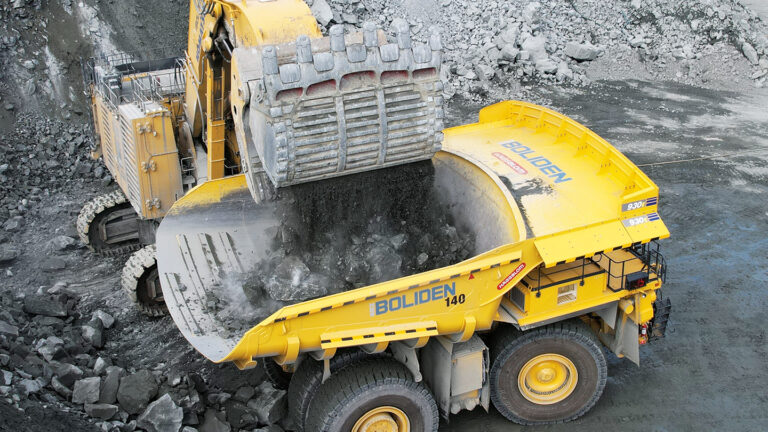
(709, 372)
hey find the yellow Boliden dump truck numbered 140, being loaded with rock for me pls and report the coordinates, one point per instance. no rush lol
(566, 261)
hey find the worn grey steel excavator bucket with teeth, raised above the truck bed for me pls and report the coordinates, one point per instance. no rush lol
(325, 107)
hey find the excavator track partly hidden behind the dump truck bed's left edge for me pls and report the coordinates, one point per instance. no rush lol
(141, 282)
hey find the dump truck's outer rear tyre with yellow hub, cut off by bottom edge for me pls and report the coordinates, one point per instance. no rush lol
(376, 394)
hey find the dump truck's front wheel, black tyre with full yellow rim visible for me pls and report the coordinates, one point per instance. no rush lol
(551, 374)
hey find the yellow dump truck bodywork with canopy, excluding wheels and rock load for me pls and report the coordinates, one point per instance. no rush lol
(582, 215)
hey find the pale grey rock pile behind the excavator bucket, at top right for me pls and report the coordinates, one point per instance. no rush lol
(555, 41)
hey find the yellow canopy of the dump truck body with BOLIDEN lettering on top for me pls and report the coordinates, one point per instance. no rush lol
(577, 193)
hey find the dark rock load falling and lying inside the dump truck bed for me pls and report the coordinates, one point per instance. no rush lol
(347, 233)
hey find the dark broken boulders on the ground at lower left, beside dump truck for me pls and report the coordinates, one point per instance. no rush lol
(51, 352)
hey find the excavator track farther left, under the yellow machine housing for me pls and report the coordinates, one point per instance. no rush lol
(108, 209)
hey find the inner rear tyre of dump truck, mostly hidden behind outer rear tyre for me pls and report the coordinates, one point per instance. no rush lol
(308, 377)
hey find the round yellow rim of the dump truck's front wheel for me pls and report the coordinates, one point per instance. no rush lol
(547, 379)
